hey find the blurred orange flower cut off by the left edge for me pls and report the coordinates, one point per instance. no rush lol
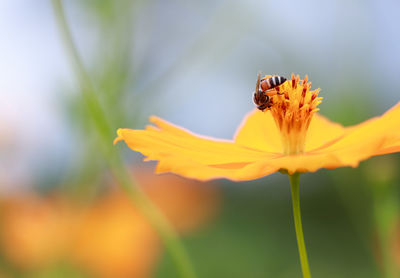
(34, 232)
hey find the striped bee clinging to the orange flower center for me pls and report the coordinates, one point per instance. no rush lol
(265, 88)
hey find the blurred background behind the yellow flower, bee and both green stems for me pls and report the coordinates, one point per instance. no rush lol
(193, 63)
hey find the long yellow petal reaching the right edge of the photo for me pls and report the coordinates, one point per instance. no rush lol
(376, 136)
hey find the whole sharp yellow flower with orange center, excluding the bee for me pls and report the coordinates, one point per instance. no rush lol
(290, 136)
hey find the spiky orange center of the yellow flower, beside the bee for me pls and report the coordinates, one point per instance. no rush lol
(293, 111)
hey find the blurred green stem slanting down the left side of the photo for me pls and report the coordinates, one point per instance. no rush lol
(165, 230)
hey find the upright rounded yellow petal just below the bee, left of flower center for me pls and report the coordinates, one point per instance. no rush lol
(258, 131)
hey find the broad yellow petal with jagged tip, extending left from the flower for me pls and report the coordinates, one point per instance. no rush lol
(190, 155)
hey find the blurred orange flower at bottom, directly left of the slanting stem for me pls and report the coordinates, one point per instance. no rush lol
(114, 240)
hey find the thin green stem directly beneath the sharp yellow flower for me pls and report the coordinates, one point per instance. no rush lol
(294, 184)
